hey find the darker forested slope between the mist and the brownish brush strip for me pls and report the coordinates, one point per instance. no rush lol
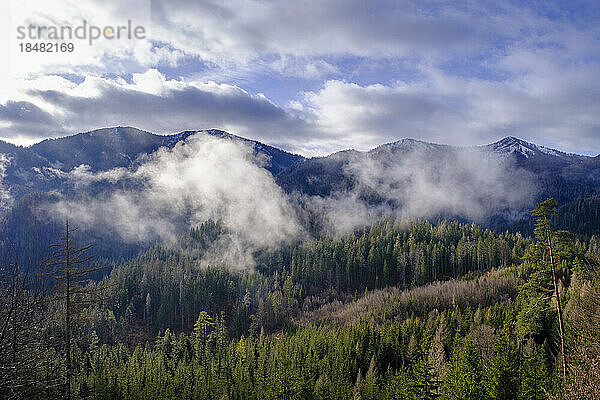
(169, 285)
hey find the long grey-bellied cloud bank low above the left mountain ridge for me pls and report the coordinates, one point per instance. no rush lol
(172, 109)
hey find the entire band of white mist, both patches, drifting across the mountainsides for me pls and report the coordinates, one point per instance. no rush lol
(221, 179)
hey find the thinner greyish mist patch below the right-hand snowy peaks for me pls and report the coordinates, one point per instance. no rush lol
(427, 182)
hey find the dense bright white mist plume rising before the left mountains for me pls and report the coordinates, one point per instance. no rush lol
(202, 178)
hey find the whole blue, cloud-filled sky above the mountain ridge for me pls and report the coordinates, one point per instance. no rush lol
(312, 77)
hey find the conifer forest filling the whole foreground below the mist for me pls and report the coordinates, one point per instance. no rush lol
(399, 309)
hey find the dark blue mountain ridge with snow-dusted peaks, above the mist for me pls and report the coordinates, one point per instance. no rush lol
(26, 168)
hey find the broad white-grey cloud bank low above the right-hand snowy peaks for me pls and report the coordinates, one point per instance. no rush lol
(543, 106)
